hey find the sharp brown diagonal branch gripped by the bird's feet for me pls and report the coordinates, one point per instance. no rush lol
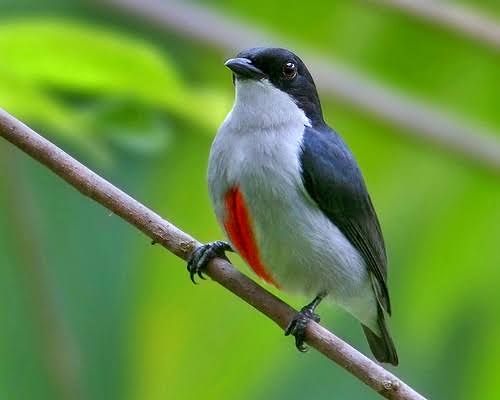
(182, 245)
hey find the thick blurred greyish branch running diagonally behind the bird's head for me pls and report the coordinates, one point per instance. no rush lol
(414, 119)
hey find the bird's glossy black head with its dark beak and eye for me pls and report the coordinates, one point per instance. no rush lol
(285, 71)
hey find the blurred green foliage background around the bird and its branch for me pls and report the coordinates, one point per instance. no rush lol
(90, 310)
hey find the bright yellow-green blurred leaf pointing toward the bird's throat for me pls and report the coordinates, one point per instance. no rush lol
(79, 59)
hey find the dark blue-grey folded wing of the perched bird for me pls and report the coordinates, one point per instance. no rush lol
(333, 180)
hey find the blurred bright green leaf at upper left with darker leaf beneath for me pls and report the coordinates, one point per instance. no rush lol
(47, 56)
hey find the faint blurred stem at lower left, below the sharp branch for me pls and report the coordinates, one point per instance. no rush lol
(57, 344)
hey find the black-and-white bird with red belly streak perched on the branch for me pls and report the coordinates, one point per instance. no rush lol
(292, 201)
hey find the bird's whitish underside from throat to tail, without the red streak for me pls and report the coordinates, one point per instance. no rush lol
(257, 150)
